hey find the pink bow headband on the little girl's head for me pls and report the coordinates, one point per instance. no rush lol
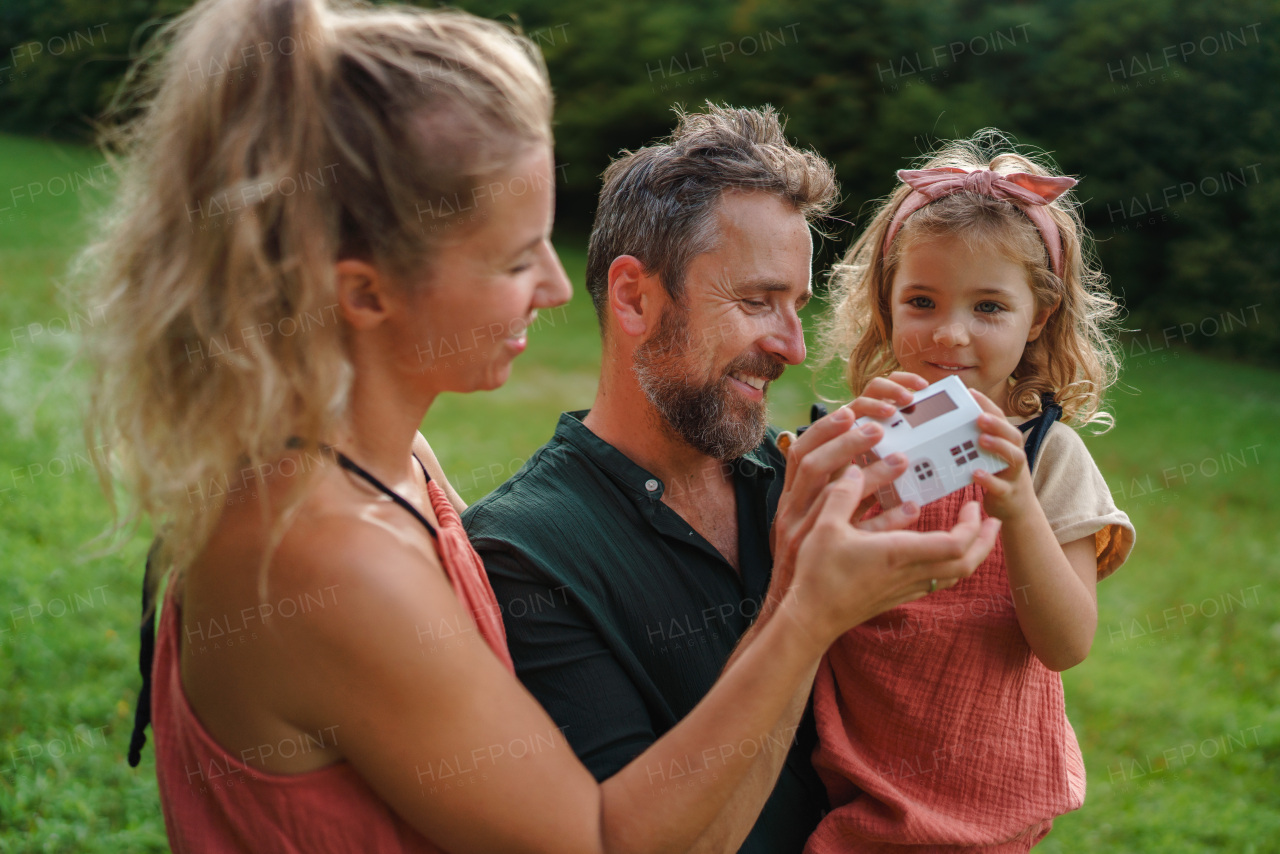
(1030, 194)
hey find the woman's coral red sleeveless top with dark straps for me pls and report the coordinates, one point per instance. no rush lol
(213, 802)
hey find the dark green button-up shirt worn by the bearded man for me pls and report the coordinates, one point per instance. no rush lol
(620, 616)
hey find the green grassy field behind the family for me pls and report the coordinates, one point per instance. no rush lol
(1178, 707)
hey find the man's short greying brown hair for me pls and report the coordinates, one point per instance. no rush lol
(660, 203)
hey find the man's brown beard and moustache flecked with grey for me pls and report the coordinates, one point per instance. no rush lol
(711, 417)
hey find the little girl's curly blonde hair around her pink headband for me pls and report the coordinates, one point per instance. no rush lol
(1073, 358)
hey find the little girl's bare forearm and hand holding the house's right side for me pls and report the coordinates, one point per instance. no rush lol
(1054, 587)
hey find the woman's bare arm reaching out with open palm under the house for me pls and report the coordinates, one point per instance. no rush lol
(397, 672)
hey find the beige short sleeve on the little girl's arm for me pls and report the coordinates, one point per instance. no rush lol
(1077, 501)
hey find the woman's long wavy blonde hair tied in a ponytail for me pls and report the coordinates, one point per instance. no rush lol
(268, 140)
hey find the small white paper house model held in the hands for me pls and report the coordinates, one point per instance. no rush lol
(939, 435)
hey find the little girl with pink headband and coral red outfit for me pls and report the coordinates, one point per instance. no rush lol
(941, 723)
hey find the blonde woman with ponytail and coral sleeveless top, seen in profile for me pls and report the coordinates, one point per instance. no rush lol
(312, 198)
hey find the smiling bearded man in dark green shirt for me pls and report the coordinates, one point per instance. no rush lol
(633, 552)
